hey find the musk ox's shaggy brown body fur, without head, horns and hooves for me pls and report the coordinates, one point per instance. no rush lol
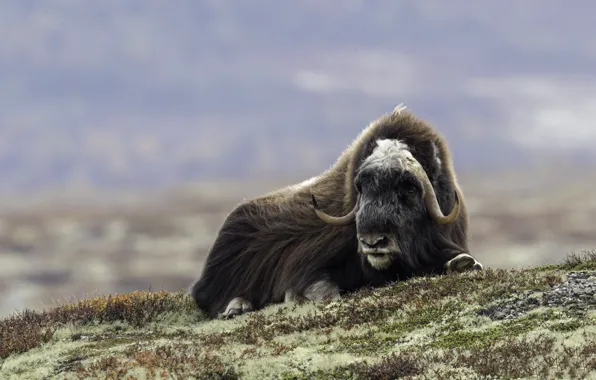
(275, 242)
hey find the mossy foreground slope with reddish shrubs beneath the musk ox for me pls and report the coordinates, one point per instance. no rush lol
(530, 323)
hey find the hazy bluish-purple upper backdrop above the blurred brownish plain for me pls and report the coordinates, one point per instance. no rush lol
(143, 93)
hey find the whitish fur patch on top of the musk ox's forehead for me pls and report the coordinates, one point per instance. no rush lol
(389, 153)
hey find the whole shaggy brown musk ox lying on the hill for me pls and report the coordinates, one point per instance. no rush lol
(389, 208)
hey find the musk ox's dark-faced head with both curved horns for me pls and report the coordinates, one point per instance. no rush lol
(395, 199)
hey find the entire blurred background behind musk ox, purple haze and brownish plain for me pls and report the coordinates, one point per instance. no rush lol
(110, 96)
